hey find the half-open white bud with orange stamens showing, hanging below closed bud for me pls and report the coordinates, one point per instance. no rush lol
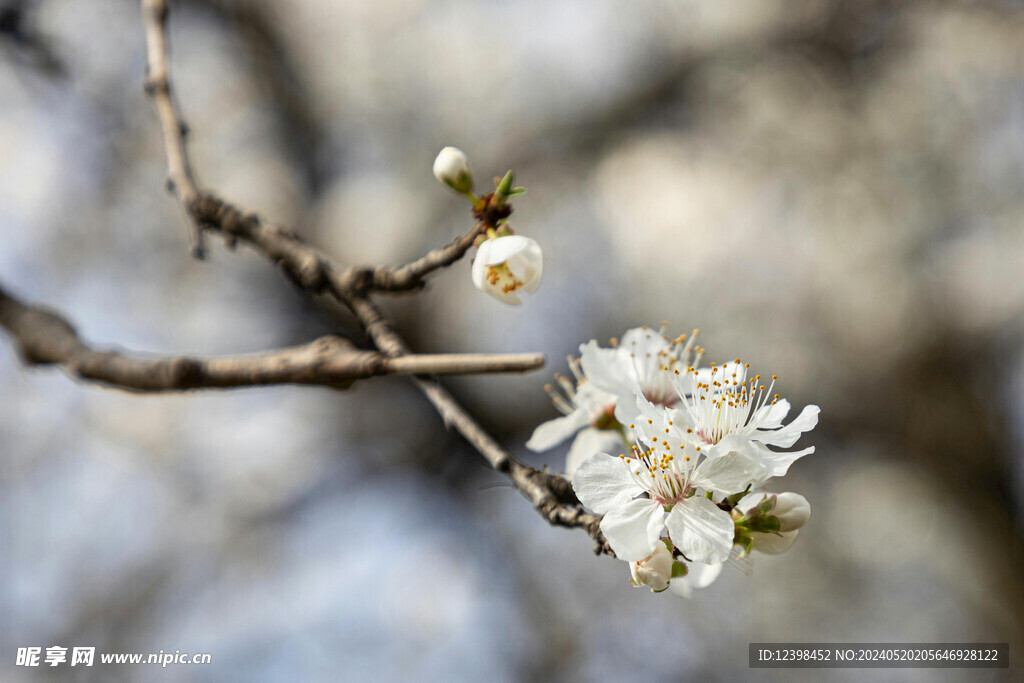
(505, 266)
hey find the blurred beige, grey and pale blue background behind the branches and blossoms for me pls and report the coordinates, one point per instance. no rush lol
(833, 190)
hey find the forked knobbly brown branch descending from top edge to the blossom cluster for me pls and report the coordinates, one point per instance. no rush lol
(315, 272)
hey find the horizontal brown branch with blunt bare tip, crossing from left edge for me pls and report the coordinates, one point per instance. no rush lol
(46, 338)
